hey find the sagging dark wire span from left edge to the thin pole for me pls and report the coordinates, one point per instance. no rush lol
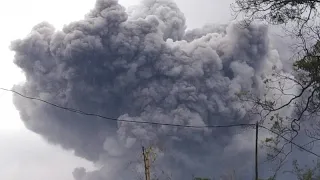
(123, 120)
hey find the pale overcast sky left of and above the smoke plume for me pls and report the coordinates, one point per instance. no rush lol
(25, 155)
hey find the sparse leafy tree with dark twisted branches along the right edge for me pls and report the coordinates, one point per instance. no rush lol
(300, 20)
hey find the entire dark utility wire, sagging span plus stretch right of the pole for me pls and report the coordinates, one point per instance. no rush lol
(153, 123)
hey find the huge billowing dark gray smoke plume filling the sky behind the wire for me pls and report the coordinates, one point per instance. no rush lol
(143, 65)
